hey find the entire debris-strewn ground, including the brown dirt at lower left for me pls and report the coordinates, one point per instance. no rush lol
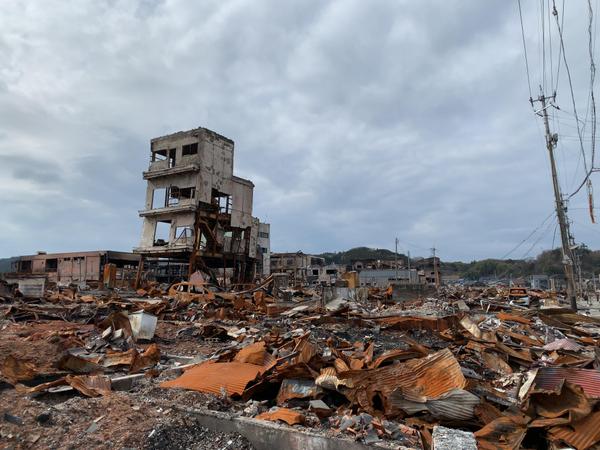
(470, 368)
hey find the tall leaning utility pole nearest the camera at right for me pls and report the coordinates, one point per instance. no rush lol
(565, 235)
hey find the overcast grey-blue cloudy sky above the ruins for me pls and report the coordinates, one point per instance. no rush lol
(358, 121)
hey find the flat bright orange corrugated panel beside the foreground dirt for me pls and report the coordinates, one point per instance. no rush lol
(233, 377)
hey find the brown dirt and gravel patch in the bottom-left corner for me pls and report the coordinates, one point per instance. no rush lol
(145, 417)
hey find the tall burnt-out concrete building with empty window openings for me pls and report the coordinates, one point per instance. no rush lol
(197, 211)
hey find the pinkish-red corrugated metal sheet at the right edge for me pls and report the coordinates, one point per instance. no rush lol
(548, 378)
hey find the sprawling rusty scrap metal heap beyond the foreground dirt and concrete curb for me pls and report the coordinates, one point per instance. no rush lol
(371, 370)
